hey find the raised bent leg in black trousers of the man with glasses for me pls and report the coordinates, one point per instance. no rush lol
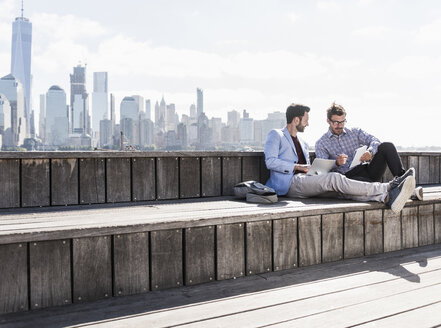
(386, 156)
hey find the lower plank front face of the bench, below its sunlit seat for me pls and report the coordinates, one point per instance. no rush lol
(58, 272)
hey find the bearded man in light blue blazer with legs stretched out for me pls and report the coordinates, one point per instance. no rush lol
(287, 158)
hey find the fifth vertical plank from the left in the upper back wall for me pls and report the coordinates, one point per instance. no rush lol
(118, 180)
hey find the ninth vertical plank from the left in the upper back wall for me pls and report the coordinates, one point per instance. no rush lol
(211, 178)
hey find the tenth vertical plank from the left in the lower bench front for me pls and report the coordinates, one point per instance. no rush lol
(309, 240)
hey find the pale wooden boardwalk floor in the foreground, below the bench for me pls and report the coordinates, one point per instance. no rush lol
(396, 289)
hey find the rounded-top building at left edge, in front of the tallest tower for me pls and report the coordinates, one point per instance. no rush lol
(12, 89)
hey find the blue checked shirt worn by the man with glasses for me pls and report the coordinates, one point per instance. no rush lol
(329, 146)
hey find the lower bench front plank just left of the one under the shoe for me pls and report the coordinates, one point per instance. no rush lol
(373, 227)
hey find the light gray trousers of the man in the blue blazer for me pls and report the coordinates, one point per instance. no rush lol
(303, 186)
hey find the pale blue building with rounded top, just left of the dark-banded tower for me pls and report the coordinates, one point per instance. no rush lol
(56, 123)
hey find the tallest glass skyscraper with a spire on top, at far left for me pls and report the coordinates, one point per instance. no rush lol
(21, 59)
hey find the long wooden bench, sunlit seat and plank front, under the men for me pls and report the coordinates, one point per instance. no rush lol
(60, 255)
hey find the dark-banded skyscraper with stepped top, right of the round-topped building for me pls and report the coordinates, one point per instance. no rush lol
(79, 101)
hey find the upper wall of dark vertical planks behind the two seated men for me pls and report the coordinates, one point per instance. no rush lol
(58, 179)
